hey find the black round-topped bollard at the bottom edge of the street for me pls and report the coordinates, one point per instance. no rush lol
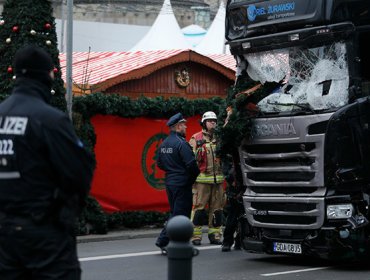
(180, 251)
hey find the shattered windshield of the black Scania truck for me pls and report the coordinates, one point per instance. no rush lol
(310, 79)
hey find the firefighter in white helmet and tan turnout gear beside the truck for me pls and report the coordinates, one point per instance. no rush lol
(208, 187)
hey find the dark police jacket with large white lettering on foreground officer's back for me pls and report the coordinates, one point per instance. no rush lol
(42, 162)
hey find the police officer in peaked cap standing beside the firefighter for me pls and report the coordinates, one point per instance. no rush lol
(176, 158)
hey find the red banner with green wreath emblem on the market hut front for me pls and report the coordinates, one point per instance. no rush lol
(126, 177)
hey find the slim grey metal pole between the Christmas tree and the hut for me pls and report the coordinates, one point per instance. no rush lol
(69, 56)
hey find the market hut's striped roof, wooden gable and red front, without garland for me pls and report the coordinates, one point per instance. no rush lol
(124, 151)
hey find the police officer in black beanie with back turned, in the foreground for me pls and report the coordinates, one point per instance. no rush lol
(45, 176)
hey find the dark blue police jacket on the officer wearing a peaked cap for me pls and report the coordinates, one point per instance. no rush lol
(176, 158)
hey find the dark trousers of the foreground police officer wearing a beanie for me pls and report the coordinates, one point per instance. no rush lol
(37, 252)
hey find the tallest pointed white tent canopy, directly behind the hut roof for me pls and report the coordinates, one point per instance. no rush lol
(165, 33)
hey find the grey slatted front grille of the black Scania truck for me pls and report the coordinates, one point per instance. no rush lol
(283, 170)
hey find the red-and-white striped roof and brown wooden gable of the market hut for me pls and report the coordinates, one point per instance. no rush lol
(181, 73)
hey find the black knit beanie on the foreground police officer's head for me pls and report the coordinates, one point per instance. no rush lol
(33, 62)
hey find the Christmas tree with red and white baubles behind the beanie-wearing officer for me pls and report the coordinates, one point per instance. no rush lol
(28, 22)
